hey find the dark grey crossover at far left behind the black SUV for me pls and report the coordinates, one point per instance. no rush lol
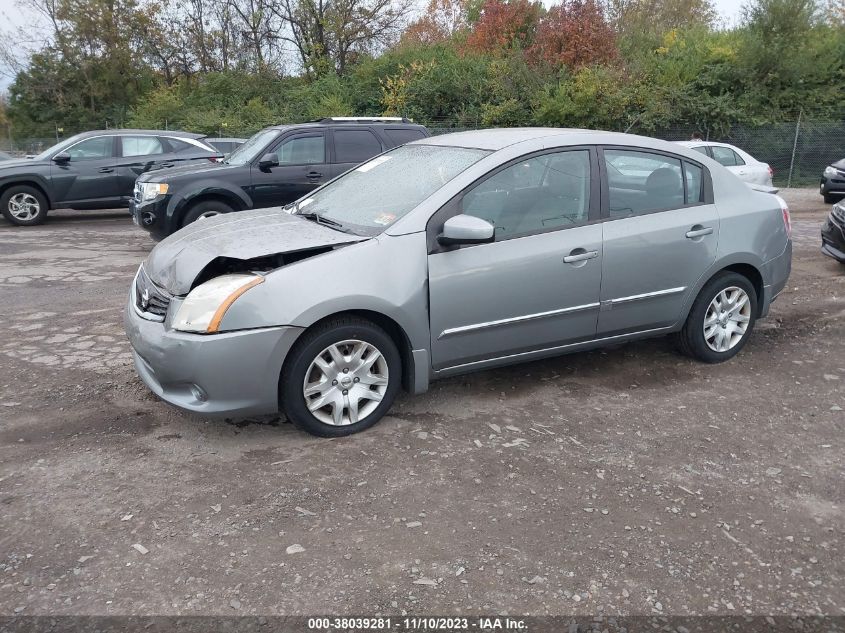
(92, 170)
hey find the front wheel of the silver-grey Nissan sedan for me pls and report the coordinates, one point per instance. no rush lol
(340, 378)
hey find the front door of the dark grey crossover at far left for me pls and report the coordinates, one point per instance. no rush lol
(89, 179)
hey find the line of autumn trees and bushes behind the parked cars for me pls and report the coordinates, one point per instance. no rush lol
(234, 66)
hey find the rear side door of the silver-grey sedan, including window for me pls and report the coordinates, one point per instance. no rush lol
(660, 237)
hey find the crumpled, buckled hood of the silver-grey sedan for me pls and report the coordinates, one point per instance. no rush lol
(177, 260)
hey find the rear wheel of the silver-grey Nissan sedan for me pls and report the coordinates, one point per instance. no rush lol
(721, 319)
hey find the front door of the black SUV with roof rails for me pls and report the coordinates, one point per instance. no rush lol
(303, 166)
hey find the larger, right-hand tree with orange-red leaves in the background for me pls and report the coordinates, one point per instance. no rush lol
(575, 34)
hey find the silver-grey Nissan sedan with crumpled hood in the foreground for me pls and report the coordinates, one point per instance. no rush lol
(448, 255)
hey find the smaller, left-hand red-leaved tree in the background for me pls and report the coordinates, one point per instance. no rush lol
(504, 25)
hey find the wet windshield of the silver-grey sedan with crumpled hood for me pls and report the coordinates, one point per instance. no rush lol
(371, 197)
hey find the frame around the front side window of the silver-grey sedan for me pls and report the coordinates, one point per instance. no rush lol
(453, 206)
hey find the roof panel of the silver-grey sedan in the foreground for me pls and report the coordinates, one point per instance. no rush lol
(497, 139)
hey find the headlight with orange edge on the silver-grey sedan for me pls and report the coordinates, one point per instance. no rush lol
(204, 307)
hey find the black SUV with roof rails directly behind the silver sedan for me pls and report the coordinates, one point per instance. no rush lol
(275, 167)
